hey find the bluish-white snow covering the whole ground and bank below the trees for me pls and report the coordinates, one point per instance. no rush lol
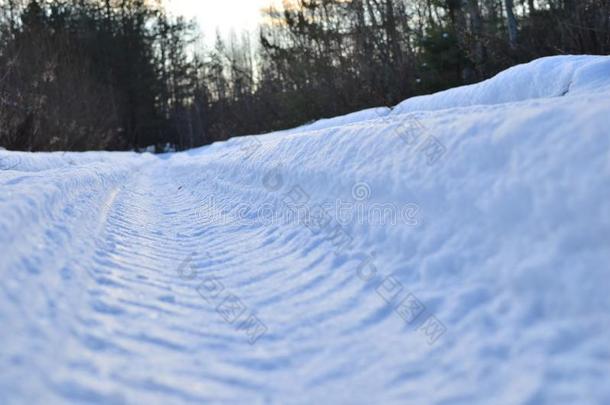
(484, 279)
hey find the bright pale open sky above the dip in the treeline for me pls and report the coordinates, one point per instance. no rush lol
(224, 15)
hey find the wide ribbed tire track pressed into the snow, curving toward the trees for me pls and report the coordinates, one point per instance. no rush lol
(135, 324)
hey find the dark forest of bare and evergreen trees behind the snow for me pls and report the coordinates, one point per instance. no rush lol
(124, 74)
